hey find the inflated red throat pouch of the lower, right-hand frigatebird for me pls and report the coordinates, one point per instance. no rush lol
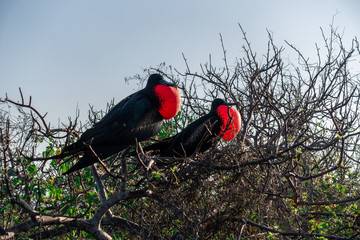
(231, 122)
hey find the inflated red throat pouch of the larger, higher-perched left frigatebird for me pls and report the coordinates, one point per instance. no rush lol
(169, 100)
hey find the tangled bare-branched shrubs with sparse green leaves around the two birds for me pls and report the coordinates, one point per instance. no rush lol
(292, 173)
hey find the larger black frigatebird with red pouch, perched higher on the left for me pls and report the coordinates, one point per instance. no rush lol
(135, 118)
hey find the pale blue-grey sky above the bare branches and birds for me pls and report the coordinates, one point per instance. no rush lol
(68, 54)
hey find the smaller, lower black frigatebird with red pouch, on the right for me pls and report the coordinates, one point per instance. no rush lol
(223, 121)
